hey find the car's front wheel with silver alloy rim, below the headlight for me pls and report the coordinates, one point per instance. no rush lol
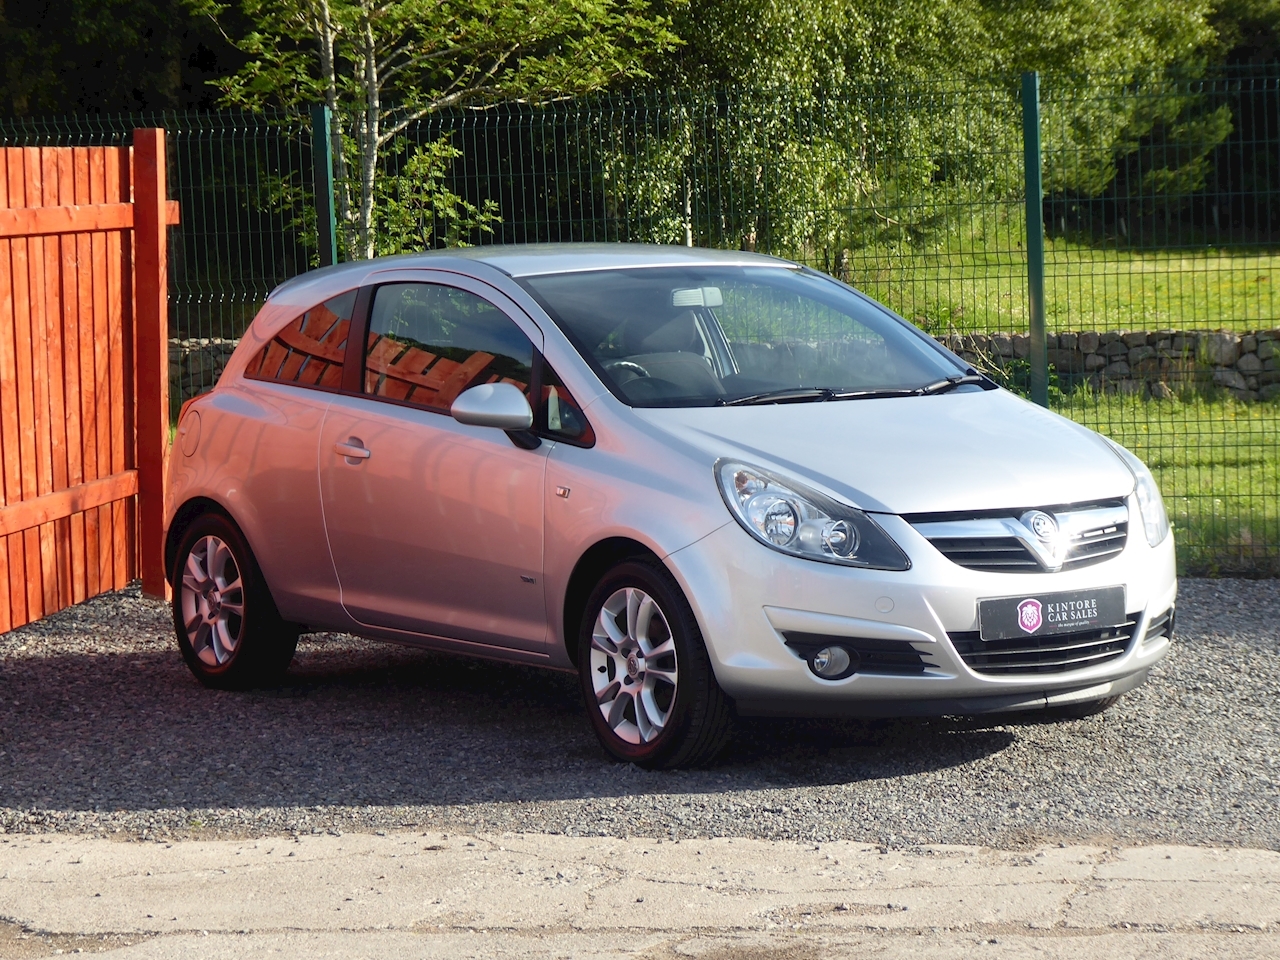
(647, 680)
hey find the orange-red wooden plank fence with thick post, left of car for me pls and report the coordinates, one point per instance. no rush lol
(84, 380)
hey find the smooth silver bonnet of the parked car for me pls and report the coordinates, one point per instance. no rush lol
(916, 455)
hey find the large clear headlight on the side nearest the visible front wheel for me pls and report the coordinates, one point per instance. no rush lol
(789, 518)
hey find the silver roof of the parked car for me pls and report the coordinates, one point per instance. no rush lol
(542, 259)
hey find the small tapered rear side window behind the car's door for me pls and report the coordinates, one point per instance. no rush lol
(310, 350)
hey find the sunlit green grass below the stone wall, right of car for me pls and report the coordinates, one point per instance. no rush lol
(1218, 464)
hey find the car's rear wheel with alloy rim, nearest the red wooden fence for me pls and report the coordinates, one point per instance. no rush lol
(230, 633)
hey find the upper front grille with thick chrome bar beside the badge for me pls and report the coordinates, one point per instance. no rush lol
(996, 542)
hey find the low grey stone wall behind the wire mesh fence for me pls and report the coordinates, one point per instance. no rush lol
(1160, 364)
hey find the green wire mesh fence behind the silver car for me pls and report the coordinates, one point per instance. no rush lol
(1160, 217)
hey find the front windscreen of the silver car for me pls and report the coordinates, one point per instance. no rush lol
(675, 337)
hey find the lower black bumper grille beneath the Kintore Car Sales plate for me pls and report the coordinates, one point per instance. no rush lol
(1045, 655)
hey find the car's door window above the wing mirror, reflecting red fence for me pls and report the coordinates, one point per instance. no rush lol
(428, 344)
